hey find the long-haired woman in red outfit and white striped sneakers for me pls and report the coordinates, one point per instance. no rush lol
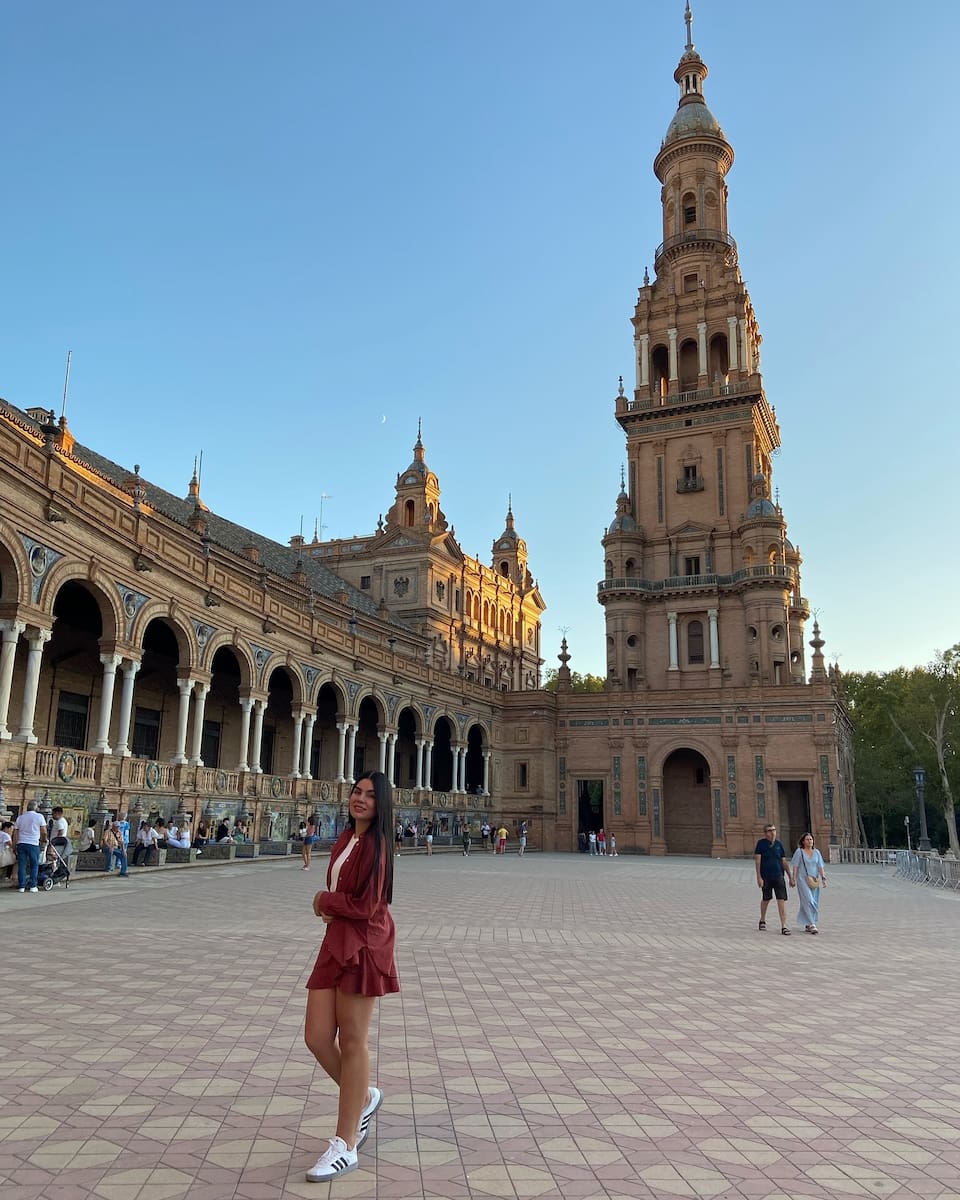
(356, 965)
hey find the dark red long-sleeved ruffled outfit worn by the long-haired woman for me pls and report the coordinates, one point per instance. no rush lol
(357, 955)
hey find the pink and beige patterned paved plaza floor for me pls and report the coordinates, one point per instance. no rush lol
(568, 1028)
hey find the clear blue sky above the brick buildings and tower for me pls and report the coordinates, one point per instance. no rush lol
(283, 233)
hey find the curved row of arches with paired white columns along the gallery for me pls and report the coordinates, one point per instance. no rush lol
(193, 694)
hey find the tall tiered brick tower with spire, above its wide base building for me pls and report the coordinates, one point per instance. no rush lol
(703, 589)
